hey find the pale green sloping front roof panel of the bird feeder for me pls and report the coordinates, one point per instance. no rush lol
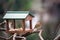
(16, 15)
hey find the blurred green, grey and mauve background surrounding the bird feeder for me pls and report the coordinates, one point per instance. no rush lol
(45, 11)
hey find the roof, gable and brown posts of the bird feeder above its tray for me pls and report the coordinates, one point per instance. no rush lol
(12, 16)
